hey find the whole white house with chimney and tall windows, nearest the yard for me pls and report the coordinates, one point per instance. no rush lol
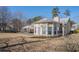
(55, 27)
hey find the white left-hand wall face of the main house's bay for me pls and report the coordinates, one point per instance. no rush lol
(40, 29)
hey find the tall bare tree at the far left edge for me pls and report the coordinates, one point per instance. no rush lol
(4, 17)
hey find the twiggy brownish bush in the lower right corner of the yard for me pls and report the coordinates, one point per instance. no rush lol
(71, 44)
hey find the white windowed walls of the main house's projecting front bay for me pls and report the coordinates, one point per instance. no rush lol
(38, 29)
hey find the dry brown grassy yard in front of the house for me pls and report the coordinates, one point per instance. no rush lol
(18, 42)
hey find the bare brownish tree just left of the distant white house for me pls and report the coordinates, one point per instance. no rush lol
(17, 21)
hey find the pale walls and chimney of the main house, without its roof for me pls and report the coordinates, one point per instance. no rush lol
(65, 29)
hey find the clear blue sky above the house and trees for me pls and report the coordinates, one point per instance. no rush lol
(45, 11)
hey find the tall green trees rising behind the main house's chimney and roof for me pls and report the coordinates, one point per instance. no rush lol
(66, 13)
